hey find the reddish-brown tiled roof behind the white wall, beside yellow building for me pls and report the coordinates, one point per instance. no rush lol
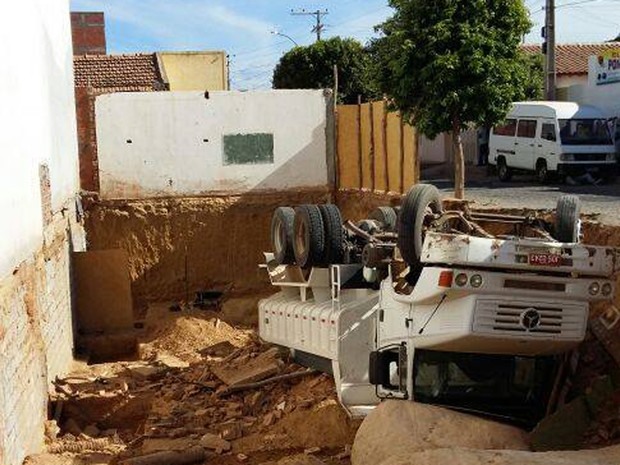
(128, 72)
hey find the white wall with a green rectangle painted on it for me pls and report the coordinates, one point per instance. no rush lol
(168, 155)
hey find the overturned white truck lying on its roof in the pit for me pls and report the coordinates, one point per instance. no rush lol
(424, 304)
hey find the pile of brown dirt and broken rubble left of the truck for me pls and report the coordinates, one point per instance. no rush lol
(244, 403)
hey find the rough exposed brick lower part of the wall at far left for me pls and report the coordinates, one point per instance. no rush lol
(36, 336)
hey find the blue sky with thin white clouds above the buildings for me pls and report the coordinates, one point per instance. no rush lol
(248, 29)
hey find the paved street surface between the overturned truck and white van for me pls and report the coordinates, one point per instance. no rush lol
(526, 192)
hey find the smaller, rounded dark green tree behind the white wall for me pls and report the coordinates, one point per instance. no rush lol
(312, 67)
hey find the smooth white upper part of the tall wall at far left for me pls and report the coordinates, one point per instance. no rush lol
(37, 120)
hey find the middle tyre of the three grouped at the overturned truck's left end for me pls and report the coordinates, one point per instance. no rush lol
(309, 236)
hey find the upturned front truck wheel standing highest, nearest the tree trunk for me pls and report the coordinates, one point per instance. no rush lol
(420, 201)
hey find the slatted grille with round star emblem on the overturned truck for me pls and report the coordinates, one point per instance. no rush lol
(530, 319)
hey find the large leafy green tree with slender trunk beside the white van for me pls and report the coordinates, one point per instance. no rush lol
(446, 64)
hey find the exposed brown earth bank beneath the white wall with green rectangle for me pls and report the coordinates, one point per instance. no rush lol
(182, 245)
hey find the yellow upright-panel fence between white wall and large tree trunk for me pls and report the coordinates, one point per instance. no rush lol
(376, 149)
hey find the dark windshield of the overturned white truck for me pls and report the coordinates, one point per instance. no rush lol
(515, 389)
